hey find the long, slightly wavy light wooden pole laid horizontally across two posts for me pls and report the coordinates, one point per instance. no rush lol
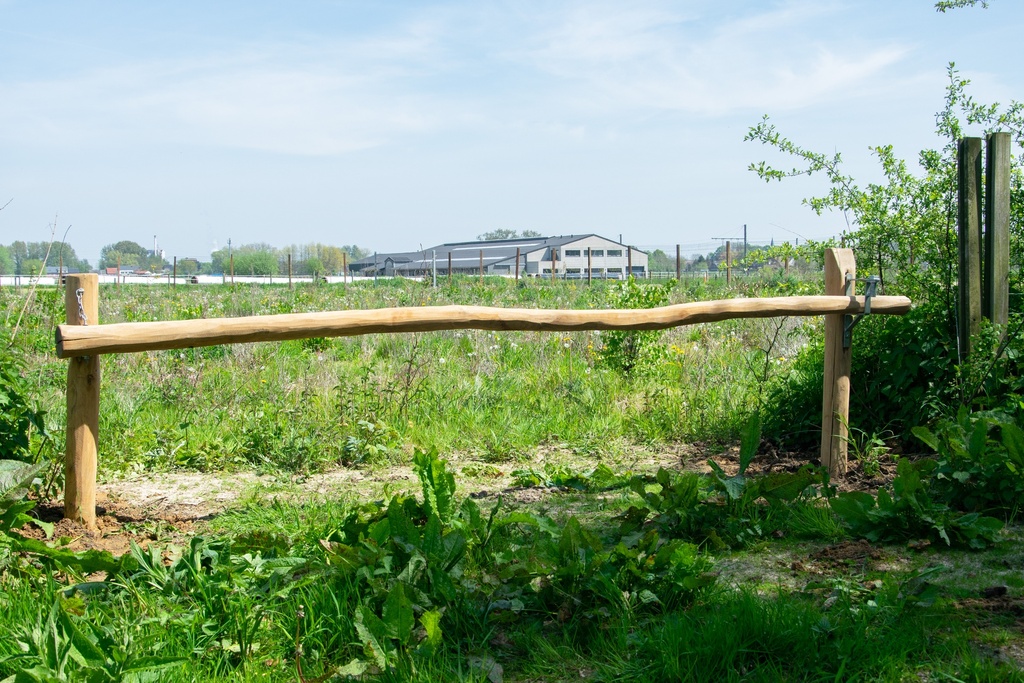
(133, 337)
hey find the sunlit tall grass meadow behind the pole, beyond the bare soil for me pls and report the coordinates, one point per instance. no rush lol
(319, 403)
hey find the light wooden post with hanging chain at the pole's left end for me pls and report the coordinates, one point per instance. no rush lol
(82, 438)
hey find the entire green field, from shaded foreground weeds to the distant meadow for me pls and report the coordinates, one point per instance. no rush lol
(483, 507)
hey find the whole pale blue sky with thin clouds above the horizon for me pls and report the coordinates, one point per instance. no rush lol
(401, 125)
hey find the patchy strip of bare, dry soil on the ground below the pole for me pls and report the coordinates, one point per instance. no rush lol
(169, 507)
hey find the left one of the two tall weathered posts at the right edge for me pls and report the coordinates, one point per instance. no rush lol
(969, 223)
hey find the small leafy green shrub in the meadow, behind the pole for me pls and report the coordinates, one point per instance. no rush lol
(634, 353)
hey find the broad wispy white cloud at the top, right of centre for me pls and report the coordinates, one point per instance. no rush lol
(655, 59)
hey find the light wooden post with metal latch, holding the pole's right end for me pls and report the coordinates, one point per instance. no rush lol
(836, 389)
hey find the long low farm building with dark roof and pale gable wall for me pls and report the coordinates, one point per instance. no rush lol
(570, 257)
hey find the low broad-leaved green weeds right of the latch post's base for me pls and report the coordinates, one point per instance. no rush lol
(911, 513)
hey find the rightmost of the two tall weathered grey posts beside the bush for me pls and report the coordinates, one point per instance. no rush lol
(996, 297)
